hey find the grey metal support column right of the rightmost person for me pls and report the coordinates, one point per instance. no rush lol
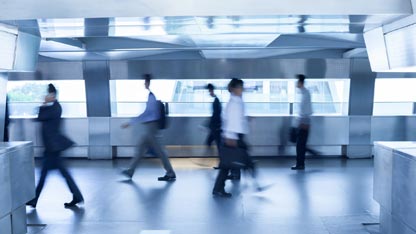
(360, 109)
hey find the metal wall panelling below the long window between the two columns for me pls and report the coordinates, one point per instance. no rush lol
(268, 136)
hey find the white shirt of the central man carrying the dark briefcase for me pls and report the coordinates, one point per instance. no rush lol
(234, 119)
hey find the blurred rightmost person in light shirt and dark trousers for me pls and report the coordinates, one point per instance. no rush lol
(304, 122)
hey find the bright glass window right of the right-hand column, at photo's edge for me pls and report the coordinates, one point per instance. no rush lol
(394, 97)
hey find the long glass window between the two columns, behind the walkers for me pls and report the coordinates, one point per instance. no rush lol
(263, 97)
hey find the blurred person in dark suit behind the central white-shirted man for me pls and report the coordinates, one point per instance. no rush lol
(215, 121)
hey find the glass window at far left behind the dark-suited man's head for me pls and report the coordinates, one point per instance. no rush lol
(26, 96)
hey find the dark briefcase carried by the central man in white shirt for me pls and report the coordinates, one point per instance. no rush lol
(233, 157)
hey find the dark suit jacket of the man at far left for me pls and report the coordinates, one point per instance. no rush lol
(53, 139)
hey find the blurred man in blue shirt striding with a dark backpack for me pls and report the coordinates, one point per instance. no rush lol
(151, 120)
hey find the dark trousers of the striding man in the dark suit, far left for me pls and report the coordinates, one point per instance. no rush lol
(52, 160)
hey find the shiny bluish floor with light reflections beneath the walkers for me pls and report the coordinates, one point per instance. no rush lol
(333, 196)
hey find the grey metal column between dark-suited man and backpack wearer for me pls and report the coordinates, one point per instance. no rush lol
(97, 76)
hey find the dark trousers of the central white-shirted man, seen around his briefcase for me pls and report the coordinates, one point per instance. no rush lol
(224, 172)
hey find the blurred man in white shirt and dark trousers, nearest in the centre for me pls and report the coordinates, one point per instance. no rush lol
(235, 127)
